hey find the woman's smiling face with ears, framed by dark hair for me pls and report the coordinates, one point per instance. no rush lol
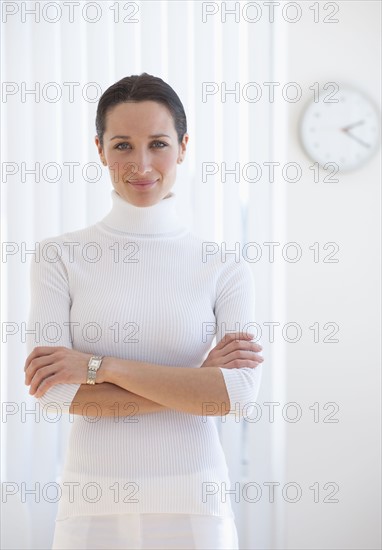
(141, 150)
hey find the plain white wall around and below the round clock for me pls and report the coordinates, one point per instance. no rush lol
(347, 292)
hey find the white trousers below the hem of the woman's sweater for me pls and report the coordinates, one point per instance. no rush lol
(146, 531)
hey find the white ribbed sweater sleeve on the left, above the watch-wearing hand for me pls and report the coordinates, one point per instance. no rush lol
(49, 316)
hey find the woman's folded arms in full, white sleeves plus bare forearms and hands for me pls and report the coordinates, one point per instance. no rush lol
(58, 374)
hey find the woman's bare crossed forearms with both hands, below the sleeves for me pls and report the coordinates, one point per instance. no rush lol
(149, 387)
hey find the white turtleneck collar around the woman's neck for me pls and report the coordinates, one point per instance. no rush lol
(160, 218)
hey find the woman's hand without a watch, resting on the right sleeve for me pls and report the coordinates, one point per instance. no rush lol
(234, 351)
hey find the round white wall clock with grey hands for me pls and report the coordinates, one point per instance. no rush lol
(345, 132)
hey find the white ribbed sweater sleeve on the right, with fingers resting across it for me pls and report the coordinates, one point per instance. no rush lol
(235, 312)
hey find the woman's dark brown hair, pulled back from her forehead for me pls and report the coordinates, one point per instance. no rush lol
(143, 87)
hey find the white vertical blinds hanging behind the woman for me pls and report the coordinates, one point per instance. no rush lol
(57, 59)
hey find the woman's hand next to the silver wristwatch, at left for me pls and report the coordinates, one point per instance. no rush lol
(47, 366)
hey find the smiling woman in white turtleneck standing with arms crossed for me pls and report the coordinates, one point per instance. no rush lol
(131, 304)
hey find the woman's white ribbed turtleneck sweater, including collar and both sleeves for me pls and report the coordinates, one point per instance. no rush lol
(138, 285)
